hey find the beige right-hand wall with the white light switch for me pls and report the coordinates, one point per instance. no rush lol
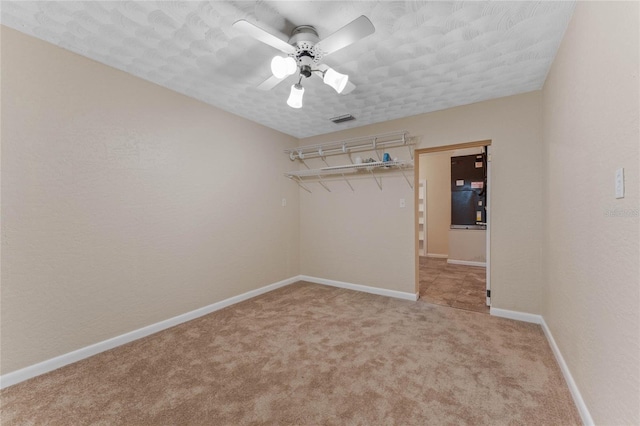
(592, 298)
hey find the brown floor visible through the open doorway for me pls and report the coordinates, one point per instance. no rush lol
(458, 286)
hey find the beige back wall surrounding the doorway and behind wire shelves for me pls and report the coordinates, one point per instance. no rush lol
(365, 238)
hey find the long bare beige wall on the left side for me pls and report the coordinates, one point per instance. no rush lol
(124, 204)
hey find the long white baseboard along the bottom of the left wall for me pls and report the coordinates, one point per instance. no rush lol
(82, 353)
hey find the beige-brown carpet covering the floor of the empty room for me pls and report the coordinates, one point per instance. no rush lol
(309, 354)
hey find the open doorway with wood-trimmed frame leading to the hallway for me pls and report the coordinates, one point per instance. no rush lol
(452, 257)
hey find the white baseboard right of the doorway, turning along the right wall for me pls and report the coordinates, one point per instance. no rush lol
(573, 388)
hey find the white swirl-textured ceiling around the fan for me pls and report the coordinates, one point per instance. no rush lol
(424, 56)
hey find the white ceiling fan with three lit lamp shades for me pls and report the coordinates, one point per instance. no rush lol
(304, 52)
